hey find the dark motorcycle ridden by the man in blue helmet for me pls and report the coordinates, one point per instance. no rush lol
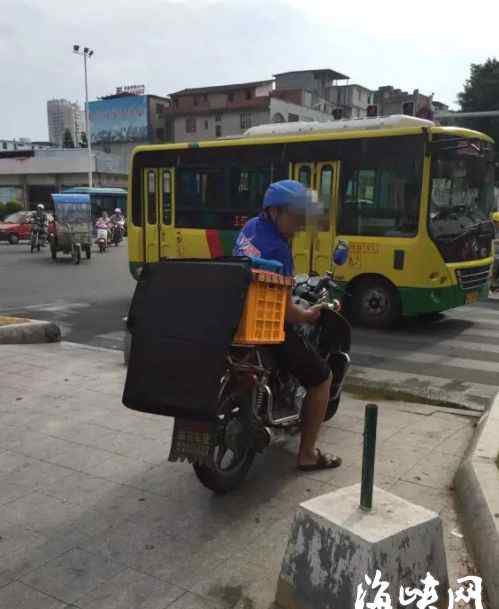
(258, 400)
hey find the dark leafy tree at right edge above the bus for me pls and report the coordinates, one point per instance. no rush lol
(481, 93)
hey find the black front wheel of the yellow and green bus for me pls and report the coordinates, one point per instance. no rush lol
(376, 303)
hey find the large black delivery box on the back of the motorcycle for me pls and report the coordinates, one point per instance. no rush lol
(183, 316)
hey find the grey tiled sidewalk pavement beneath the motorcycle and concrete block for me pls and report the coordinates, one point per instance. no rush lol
(93, 516)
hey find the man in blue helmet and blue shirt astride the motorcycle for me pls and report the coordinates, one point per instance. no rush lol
(285, 206)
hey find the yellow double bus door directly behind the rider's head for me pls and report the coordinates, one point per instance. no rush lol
(313, 247)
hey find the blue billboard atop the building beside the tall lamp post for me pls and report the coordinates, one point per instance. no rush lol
(123, 119)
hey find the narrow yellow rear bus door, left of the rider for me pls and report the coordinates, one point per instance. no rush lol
(159, 240)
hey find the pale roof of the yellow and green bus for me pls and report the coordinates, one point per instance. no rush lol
(277, 133)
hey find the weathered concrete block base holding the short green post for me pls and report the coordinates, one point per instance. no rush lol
(333, 545)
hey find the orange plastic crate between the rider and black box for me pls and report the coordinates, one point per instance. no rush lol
(262, 320)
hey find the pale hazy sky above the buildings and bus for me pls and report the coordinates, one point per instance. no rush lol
(168, 45)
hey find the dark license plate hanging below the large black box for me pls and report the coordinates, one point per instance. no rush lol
(192, 440)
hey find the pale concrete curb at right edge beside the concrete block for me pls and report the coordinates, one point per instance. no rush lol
(477, 488)
